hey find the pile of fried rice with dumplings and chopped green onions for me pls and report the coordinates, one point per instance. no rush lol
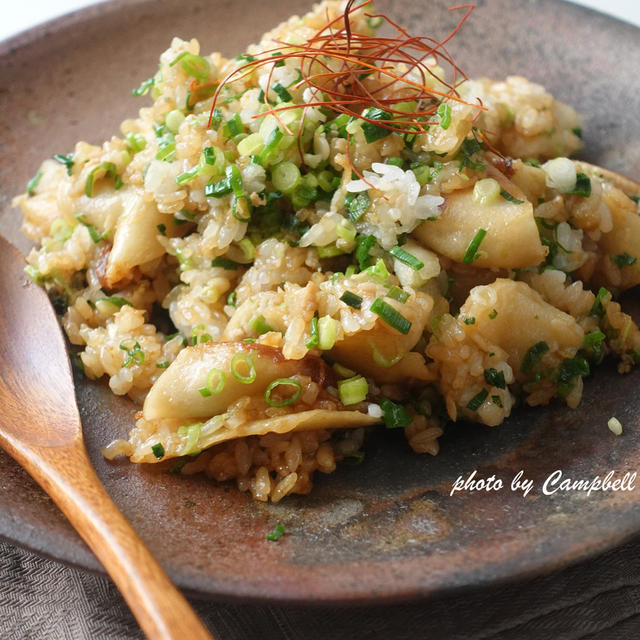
(324, 273)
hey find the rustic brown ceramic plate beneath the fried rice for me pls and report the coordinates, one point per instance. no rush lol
(387, 528)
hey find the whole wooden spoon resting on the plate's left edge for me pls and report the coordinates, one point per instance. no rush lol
(40, 428)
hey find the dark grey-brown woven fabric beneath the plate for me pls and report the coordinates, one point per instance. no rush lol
(596, 600)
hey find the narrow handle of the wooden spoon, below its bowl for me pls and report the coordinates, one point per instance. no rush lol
(66, 474)
